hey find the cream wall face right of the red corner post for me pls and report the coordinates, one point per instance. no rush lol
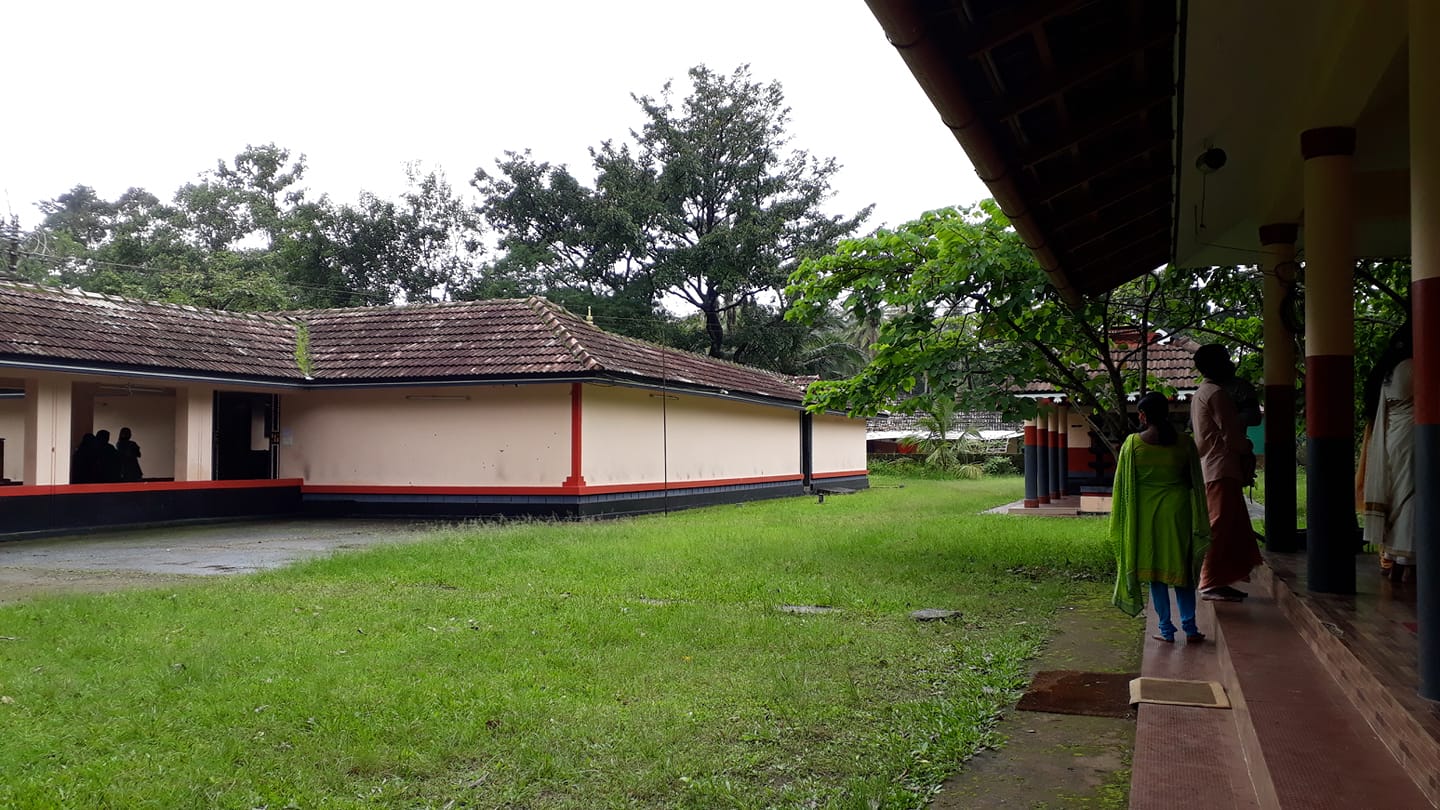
(646, 437)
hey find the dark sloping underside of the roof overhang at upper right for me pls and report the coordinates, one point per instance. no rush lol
(1068, 112)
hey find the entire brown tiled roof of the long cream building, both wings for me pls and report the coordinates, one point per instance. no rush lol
(423, 342)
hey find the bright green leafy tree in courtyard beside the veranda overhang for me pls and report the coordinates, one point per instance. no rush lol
(968, 315)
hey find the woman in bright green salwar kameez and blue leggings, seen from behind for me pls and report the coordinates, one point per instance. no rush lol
(1158, 522)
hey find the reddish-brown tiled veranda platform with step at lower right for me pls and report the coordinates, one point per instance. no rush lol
(1326, 710)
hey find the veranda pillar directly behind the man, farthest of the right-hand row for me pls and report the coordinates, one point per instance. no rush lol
(1278, 264)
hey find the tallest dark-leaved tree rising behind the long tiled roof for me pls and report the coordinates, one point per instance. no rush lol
(709, 205)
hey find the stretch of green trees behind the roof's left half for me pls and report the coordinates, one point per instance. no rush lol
(244, 237)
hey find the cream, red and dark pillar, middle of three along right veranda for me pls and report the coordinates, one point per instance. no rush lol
(1330, 358)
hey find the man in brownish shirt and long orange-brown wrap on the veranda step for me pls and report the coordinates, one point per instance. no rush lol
(1220, 439)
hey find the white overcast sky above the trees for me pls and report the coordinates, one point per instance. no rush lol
(150, 94)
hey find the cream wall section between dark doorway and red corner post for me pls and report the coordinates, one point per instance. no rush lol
(473, 436)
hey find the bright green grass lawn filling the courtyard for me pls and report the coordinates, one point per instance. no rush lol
(626, 664)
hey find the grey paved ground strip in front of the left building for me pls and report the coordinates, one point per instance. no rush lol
(104, 561)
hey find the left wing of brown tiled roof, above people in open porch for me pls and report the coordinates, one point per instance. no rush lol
(41, 324)
